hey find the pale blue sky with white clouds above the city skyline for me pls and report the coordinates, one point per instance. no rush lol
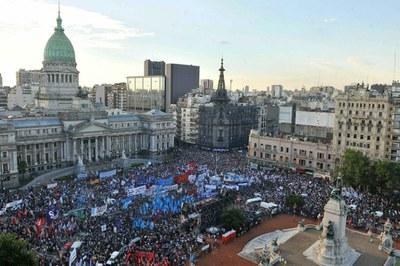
(296, 43)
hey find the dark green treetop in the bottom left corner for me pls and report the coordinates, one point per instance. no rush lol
(15, 251)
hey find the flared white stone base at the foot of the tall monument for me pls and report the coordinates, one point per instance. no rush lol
(348, 259)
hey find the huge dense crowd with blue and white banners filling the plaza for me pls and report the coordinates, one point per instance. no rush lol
(159, 226)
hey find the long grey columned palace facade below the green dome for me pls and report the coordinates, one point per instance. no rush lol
(47, 143)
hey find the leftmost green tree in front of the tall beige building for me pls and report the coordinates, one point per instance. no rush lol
(355, 169)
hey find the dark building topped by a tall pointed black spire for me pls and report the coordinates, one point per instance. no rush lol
(223, 124)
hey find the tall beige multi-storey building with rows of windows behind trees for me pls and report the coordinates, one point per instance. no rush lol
(363, 122)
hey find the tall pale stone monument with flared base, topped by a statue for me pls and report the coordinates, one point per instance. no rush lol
(332, 247)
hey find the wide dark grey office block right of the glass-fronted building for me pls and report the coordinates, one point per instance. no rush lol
(180, 79)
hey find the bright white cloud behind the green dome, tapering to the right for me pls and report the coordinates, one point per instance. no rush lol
(26, 25)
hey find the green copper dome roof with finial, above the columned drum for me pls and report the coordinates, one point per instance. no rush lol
(59, 48)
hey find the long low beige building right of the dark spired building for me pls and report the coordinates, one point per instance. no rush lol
(291, 152)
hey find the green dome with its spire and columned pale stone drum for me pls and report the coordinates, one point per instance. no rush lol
(59, 82)
